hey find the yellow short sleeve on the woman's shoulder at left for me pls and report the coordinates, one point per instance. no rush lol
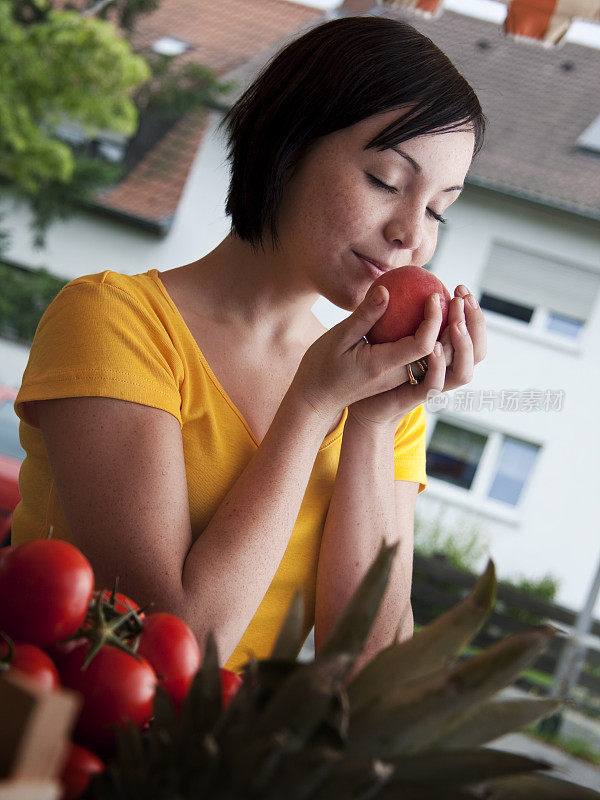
(98, 340)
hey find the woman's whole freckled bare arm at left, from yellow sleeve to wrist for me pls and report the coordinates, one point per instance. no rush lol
(120, 474)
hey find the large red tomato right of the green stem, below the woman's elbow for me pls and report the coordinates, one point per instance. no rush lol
(172, 649)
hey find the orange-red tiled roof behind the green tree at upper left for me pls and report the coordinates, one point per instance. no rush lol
(233, 38)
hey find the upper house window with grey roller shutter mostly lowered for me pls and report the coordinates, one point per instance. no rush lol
(538, 292)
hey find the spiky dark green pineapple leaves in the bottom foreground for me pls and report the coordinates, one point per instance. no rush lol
(409, 724)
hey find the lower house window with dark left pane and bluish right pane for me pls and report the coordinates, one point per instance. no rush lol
(489, 465)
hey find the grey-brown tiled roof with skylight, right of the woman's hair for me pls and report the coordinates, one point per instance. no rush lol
(537, 100)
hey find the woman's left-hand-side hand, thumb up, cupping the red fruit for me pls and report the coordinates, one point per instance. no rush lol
(341, 367)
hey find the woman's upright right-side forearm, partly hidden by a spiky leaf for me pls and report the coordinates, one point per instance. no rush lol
(361, 512)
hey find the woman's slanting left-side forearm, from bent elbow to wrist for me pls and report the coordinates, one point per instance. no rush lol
(231, 565)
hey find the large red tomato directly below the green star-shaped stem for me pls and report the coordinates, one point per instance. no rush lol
(115, 687)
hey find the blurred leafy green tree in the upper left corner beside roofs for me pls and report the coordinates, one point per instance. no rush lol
(72, 65)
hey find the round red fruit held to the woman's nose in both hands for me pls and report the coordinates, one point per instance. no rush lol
(408, 288)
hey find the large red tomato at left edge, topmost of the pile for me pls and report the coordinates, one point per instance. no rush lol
(45, 588)
